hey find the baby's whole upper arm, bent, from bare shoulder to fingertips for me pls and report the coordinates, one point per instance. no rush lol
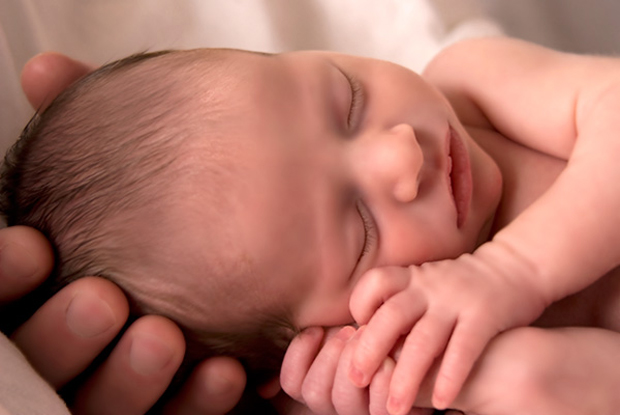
(563, 105)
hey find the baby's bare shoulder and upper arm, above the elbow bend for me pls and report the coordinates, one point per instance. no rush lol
(509, 85)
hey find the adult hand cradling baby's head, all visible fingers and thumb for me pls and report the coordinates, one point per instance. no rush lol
(71, 329)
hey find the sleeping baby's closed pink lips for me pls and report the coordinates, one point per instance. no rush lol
(459, 174)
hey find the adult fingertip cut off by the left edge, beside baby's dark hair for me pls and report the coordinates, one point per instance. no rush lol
(26, 259)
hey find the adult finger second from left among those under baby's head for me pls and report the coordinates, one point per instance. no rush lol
(66, 333)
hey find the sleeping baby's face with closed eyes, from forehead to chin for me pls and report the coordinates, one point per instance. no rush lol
(348, 164)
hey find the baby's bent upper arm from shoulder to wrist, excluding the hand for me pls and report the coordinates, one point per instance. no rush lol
(563, 105)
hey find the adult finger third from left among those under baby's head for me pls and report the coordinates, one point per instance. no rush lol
(137, 372)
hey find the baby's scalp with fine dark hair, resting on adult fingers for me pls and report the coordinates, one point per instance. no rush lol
(128, 174)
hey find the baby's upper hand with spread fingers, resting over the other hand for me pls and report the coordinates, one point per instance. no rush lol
(451, 307)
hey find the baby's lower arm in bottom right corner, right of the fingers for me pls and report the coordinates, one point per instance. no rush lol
(557, 371)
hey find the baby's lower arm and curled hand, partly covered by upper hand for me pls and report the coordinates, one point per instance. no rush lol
(523, 370)
